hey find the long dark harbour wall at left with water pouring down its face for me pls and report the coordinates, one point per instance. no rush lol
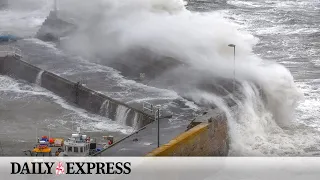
(75, 93)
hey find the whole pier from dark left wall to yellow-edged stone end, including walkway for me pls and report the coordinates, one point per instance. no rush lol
(152, 136)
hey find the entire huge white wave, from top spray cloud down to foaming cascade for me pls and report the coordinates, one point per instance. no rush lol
(262, 124)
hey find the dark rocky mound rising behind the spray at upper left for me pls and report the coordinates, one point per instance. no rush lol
(54, 28)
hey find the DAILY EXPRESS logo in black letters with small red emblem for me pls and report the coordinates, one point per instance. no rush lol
(71, 168)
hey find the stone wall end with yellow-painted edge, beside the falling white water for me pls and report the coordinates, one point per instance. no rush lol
(206, 136)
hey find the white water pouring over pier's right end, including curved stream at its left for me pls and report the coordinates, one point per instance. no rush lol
(251, 125)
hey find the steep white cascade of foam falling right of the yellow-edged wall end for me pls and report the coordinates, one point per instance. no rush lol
(255, 131)
